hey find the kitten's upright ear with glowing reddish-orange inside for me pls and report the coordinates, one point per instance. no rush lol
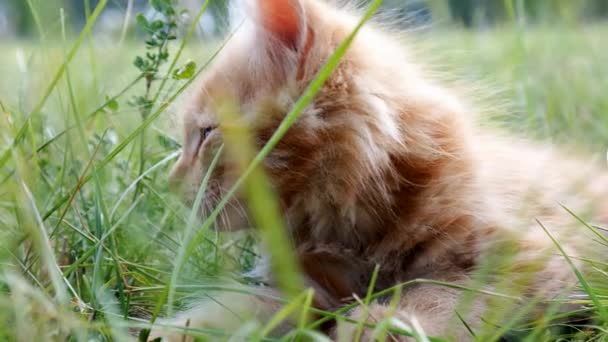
(284, 20)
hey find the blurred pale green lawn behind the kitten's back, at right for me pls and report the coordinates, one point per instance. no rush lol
(548, 80)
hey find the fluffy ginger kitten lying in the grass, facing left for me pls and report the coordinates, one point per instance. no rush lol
(386, 168)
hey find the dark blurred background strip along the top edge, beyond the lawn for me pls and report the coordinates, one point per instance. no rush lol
(15, 17)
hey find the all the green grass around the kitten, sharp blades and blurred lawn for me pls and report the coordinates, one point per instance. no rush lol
(83, 254)
